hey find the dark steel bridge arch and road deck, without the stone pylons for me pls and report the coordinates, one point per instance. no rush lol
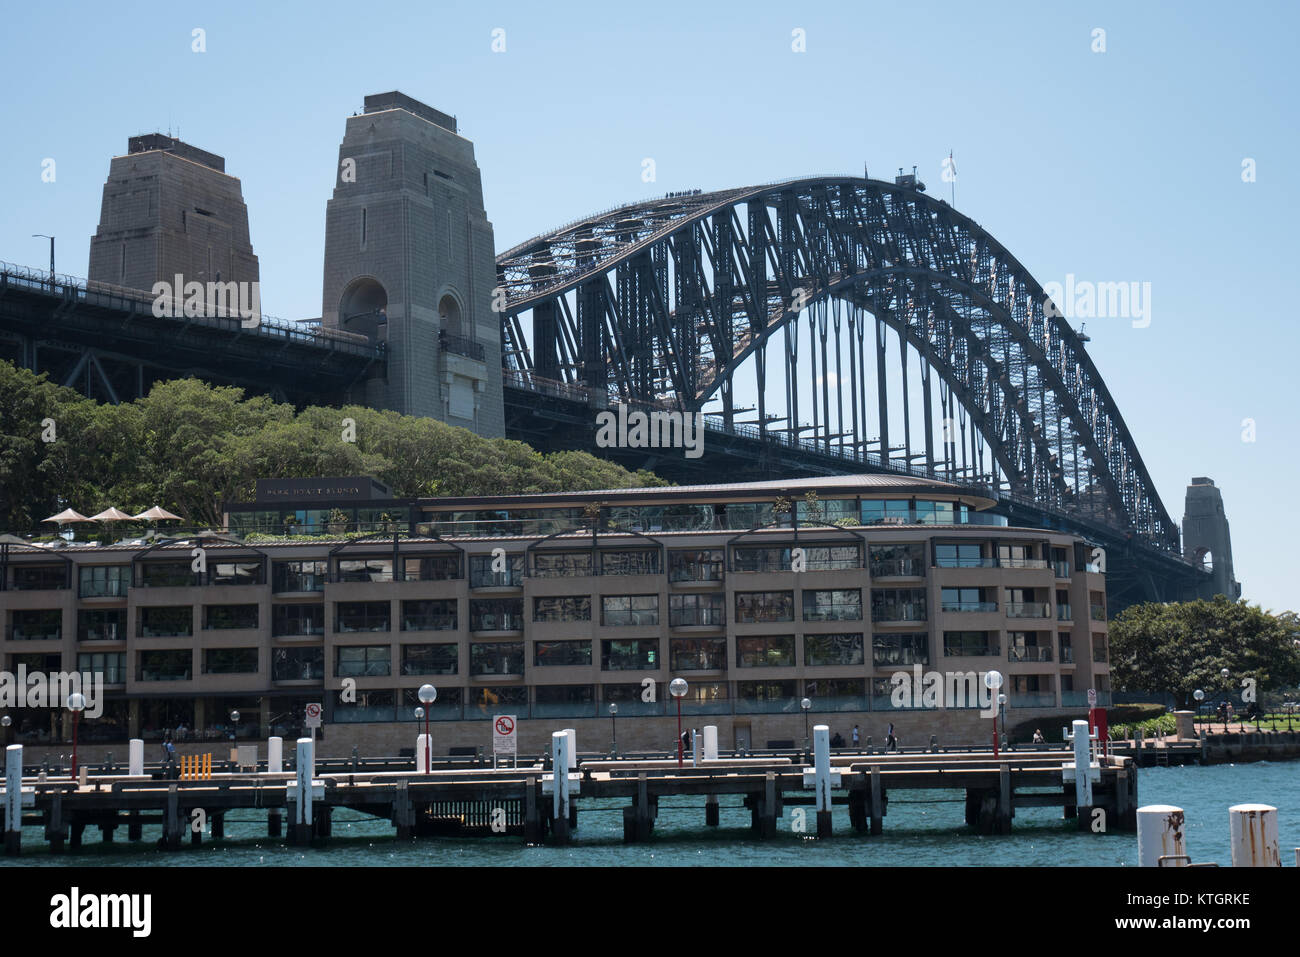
(824, 326)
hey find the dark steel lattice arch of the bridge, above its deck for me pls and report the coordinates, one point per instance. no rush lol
(662, 302)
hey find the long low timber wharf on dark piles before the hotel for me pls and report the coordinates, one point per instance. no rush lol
(483, 802)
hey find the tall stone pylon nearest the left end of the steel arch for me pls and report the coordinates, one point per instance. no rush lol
(410, 262)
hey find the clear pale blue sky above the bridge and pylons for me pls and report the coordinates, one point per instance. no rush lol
(1124, 166)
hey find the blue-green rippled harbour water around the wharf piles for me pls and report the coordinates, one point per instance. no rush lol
(922, 829)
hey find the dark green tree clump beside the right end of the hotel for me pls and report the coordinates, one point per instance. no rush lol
(1182, 647)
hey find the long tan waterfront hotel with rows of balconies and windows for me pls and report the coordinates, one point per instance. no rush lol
(554, 607)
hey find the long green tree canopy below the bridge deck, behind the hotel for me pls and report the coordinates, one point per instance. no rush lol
(192, 447)
